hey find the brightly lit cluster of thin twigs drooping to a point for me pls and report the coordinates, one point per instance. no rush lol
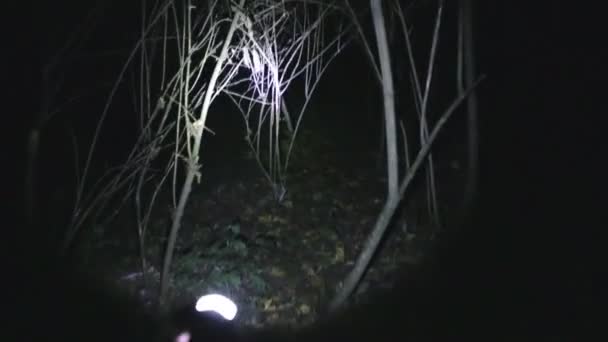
(287, 41)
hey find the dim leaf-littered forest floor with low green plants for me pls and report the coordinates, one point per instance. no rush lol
(280, 262)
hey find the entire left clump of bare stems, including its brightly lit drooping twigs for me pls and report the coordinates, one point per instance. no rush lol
(185, 58)
